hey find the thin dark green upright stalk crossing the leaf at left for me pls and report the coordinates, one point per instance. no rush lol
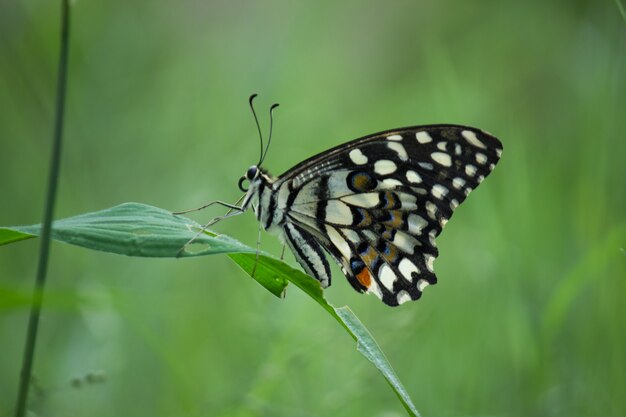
(53, 179)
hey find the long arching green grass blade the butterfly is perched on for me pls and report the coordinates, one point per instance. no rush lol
(135, 229)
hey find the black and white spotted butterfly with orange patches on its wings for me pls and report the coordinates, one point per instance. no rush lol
(375, 204)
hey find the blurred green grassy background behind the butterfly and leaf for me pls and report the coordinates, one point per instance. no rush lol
(529, 316)
